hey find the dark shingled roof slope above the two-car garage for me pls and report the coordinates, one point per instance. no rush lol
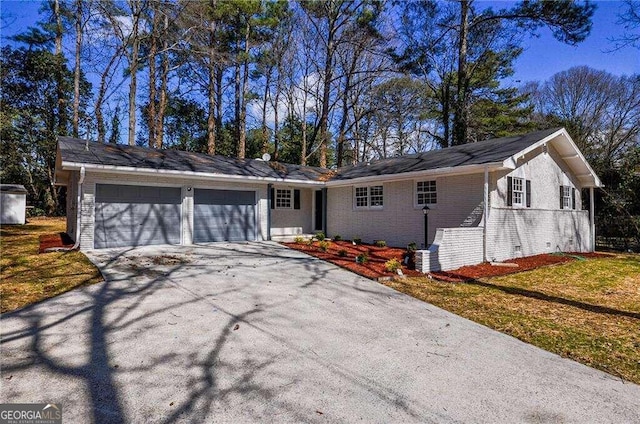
(74, 150)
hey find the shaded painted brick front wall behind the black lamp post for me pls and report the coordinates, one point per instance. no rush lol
(400, 222)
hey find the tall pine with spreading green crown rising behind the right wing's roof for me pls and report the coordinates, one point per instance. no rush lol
(477, 33)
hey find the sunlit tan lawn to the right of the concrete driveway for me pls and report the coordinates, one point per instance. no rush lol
(588, 311)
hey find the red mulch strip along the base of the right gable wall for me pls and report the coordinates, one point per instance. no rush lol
(485, 269)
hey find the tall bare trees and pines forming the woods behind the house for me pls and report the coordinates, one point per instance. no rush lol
(325, 83)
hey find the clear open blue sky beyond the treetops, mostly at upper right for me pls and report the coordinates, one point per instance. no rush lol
(543, 55)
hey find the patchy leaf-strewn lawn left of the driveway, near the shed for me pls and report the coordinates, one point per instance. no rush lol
(27, 277)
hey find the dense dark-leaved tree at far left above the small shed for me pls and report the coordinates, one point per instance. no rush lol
(30, 109)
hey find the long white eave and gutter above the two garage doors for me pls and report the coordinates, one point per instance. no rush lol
(115, 169)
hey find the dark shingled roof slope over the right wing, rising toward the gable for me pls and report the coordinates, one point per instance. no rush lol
(495, 150)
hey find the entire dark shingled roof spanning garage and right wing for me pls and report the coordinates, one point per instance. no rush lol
(490, 151)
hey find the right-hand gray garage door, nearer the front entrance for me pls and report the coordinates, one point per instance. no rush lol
(224, 215)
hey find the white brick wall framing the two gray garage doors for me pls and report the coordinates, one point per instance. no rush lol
(93, 178)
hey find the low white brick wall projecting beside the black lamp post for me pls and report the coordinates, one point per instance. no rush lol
(451, 249)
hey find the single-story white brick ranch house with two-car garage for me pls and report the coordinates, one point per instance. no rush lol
(491, 200)
